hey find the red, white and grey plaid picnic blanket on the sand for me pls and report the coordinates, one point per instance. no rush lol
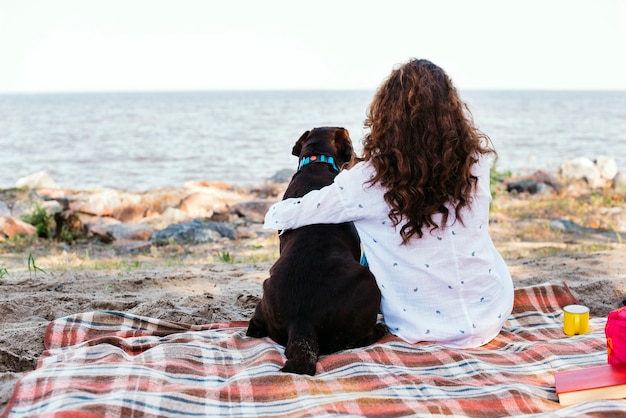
(110, 363)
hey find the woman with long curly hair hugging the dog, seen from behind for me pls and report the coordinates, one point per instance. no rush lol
(419, 198)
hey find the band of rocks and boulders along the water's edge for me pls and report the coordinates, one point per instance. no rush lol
(201, 212)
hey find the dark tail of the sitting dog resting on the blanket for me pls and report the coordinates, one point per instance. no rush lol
(302, 350)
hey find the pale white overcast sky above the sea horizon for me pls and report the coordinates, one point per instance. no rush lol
(181, 45)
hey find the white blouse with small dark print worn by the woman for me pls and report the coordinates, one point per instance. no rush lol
(451, 286)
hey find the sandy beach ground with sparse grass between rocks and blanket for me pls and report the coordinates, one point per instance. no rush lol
(221, 281)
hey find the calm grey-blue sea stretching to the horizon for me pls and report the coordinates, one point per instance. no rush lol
(144, 141)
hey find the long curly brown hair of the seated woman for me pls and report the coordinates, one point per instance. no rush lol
(422, 142)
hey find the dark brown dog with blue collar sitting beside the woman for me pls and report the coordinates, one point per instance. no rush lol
(319, 299)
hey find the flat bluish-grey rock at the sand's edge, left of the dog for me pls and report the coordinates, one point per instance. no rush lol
(195, 231)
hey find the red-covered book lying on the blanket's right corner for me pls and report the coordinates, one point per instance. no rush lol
(607, 381)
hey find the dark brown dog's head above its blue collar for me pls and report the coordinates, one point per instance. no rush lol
(330, 141)
